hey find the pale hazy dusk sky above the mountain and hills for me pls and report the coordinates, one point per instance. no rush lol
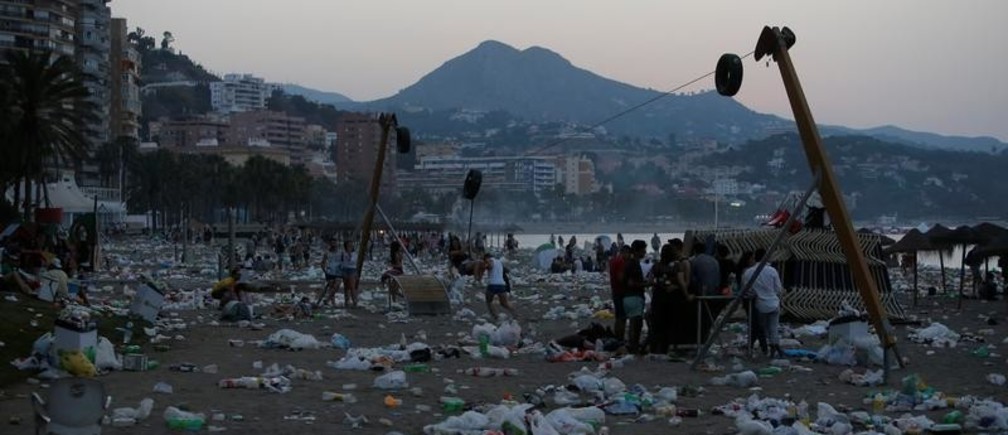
(929, 66)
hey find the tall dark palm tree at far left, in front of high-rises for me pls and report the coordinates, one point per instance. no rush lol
(49, 106)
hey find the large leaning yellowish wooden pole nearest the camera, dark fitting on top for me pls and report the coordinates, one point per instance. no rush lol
(776, 43)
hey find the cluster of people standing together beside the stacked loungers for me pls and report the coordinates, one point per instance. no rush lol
(676, 280)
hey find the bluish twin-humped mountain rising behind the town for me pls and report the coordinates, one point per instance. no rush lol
(540, 85)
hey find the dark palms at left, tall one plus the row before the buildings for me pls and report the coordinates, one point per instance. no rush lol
(44, 109)
